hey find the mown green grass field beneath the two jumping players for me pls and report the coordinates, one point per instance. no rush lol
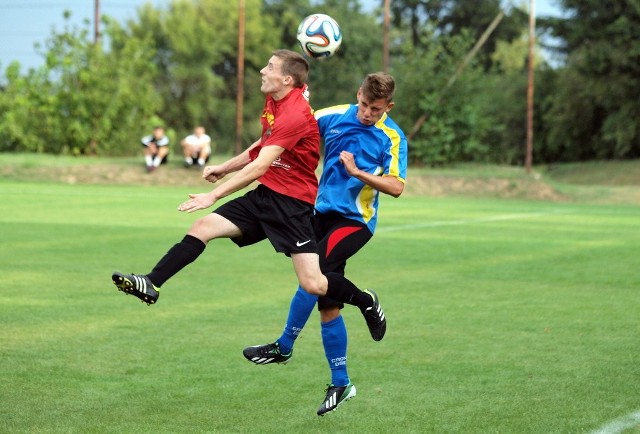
(505, 316)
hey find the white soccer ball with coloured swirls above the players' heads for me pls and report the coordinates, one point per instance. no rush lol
(319, 36)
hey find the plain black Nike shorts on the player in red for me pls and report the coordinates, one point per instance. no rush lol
(262, 213)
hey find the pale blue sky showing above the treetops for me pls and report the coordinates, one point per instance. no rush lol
(26, 22)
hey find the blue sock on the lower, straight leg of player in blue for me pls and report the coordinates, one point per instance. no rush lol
(334, 339)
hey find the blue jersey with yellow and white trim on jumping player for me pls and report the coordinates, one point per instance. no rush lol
(379, 149)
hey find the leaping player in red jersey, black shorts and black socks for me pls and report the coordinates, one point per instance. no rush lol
(280, 209)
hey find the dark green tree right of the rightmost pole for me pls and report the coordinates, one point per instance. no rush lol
(596, 112)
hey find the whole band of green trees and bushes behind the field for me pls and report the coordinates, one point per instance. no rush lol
(178, 65)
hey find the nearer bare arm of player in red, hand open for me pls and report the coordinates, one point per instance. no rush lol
(243, 178)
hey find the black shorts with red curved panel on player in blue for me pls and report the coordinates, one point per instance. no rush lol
(339, 238)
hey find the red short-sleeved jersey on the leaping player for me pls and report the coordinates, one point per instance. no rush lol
(289, 123)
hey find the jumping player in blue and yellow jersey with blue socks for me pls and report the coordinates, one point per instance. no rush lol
(365, 154)
